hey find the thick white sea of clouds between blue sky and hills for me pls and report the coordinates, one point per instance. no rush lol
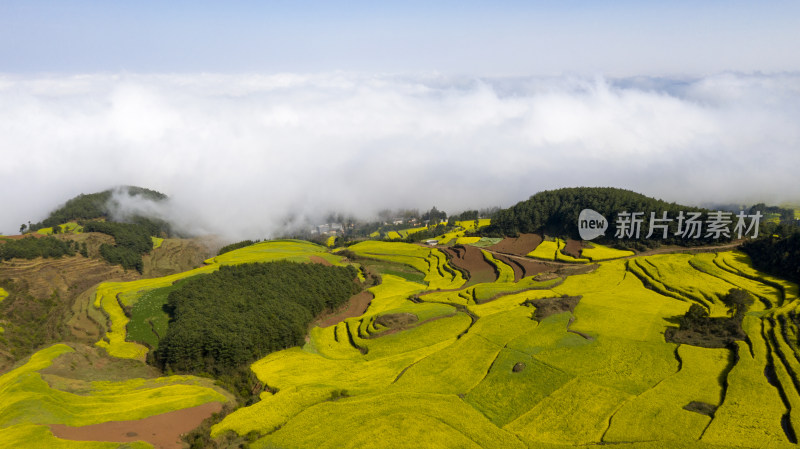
(238, 153)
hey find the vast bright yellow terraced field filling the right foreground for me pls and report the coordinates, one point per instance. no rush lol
(487, 374)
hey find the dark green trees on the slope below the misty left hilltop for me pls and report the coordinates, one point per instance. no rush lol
(132, 241)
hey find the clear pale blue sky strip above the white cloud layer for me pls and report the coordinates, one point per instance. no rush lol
(619, 38)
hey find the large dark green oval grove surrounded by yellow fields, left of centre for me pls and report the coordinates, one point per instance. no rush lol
(227, 319)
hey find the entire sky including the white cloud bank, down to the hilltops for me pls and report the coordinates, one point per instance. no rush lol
(303, 107)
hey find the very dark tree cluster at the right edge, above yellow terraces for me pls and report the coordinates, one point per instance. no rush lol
(777, 255)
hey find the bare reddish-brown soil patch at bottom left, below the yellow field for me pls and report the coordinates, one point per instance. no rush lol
(162, 431)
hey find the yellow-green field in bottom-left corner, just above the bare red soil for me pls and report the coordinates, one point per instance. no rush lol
(32, 401)
